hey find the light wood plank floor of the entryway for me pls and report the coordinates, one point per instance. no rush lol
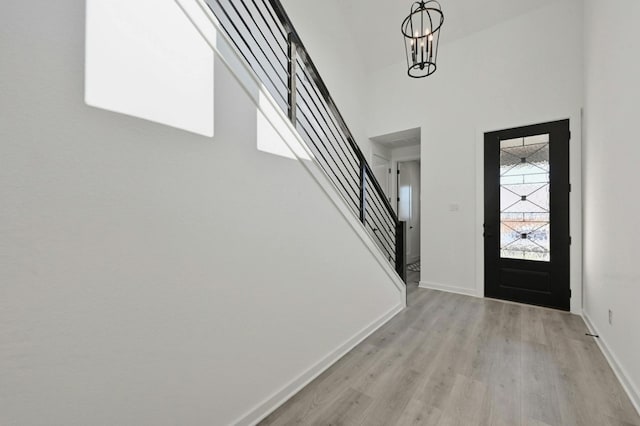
(457, 360)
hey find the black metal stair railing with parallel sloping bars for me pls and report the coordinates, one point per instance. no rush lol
(264, 35)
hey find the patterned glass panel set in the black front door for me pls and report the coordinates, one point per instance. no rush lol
(524, 199)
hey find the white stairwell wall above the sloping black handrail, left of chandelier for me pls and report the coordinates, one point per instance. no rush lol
(324, 30)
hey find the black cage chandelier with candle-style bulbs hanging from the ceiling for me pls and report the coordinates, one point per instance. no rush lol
(421, 31)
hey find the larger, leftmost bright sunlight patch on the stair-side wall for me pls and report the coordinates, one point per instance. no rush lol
(144, 58)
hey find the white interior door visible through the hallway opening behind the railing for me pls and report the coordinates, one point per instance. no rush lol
(409, 205)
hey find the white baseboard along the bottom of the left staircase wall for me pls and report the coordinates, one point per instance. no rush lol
(266, 407)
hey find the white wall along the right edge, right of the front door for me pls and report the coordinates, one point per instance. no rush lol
(612, 208)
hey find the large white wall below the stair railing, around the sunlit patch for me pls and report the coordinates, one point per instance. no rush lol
(152, 276)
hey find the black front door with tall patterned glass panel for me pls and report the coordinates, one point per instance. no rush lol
(526, 210)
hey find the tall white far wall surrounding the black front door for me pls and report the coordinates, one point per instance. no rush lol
(522, 71)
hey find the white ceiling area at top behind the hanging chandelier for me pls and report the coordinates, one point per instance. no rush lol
(375, 24)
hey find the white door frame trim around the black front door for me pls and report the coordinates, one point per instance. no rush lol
(575, 198)
